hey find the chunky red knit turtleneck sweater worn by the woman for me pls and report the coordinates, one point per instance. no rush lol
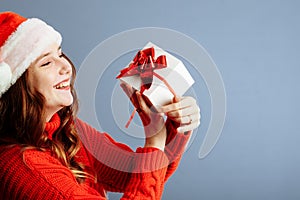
(33, 174)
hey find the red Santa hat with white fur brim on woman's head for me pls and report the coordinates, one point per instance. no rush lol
(22, 41)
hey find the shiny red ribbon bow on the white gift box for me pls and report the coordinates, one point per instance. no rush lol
(144, 64)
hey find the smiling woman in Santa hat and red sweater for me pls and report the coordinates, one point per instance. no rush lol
(46, 152)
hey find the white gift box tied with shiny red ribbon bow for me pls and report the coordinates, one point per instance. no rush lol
(157, 74)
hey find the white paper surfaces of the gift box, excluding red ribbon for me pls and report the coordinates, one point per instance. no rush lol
(176, 75)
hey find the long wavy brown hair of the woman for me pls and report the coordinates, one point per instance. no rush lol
(22, 123)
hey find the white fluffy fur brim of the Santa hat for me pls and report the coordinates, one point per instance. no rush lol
(24, 46)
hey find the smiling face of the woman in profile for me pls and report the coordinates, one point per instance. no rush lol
(50, 75)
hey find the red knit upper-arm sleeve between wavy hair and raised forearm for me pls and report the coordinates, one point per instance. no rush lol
(111, 162)
